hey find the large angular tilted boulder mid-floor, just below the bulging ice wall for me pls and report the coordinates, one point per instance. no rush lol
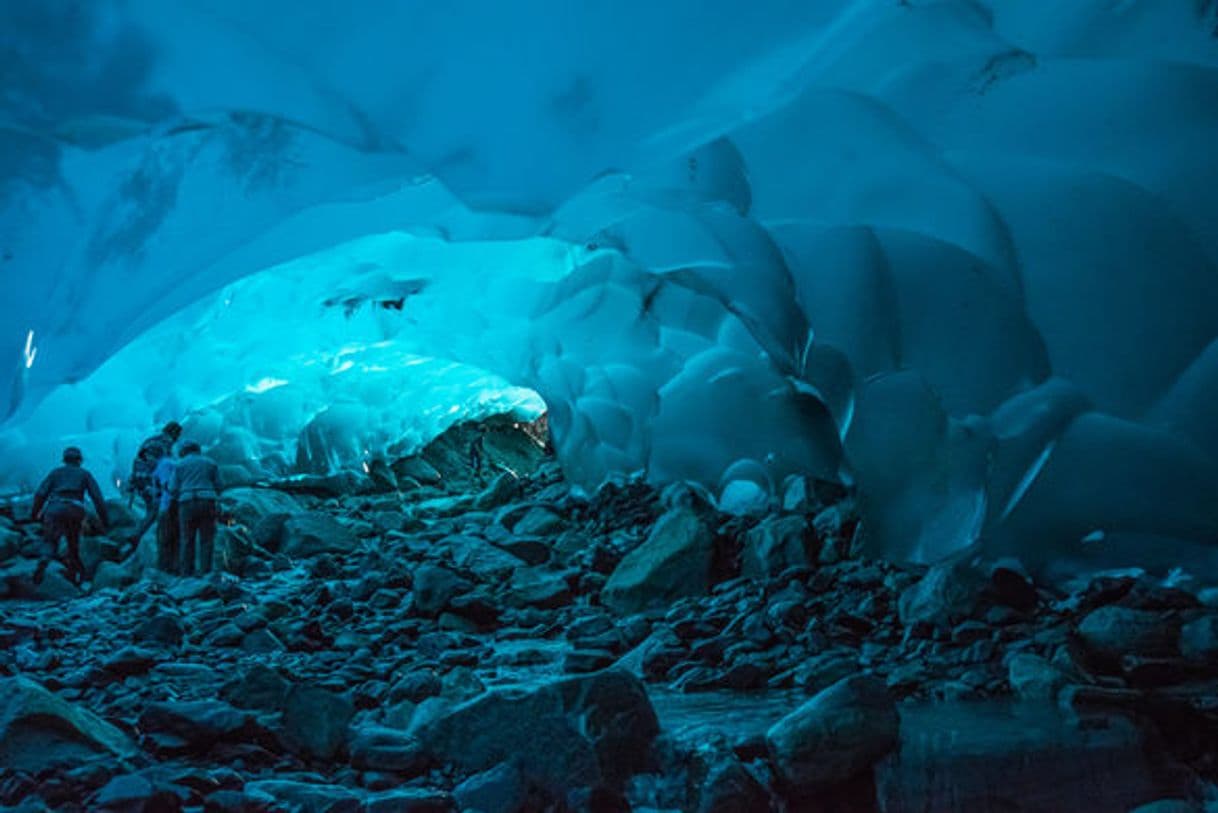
(674, 563)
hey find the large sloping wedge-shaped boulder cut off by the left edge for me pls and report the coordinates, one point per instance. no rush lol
(41, 731)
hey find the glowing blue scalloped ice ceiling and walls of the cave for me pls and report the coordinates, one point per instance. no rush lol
(960, 253)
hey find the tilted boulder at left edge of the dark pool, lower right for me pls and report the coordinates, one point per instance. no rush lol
(834, 737)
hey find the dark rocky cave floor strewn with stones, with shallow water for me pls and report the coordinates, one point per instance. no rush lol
(505, 645)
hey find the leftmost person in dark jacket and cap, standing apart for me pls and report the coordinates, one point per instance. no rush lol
(59, 503)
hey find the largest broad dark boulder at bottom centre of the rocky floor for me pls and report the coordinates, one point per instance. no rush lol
(563, 734)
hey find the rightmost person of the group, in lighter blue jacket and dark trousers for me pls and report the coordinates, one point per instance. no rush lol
(195, 489)
